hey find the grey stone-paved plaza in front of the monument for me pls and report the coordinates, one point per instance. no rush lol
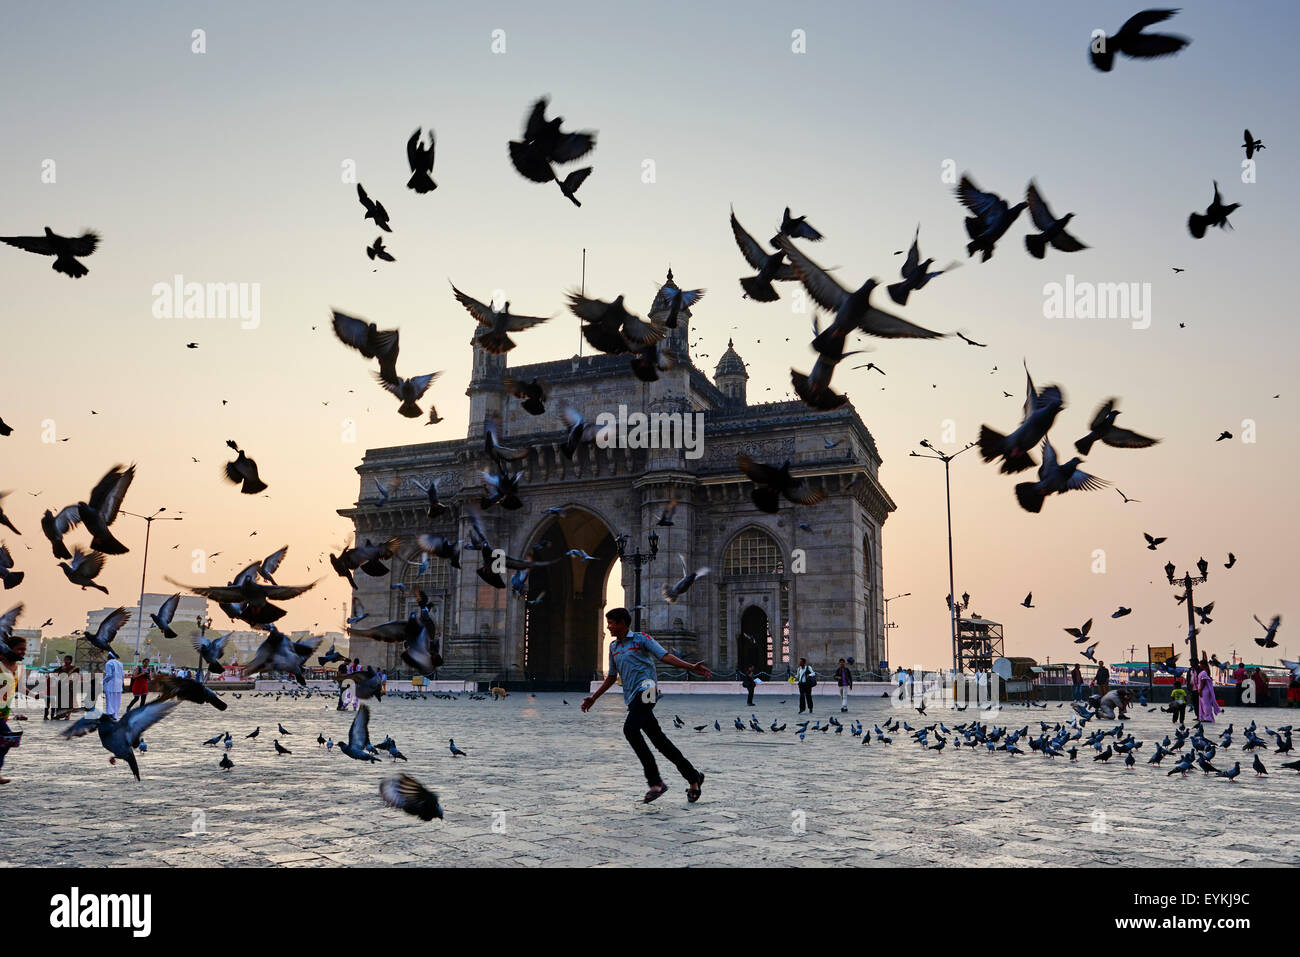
(570, 790)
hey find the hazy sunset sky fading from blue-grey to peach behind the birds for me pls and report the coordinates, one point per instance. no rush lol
(227, 167)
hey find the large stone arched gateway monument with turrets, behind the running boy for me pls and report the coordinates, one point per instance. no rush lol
(803, 583)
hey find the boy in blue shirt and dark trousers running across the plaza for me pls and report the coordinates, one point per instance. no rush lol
(634, 659)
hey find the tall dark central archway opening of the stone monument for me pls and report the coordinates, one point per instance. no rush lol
(564, 631)
